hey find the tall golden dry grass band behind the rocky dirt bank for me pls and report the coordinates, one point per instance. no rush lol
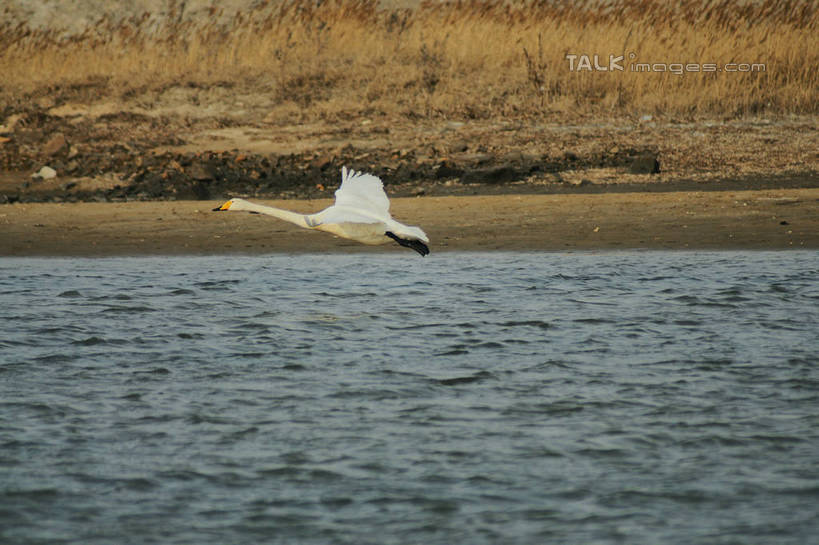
(457, 60)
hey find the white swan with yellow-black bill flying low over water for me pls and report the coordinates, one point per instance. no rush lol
(361, 212)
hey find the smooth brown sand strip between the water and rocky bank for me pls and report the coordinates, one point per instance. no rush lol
(767, 219)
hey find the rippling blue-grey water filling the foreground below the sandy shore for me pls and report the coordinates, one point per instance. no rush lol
(641, 397)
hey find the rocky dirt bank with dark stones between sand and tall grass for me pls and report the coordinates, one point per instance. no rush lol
(189, 143)
